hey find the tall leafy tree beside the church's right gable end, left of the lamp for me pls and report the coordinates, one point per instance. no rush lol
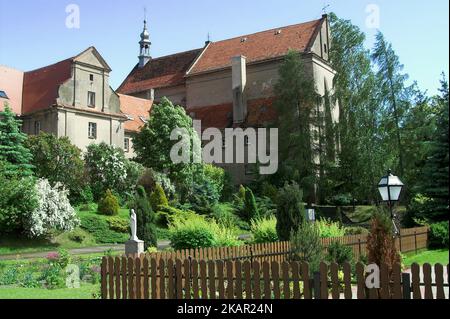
(360, 153)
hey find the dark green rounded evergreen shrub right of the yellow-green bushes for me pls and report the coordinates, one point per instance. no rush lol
(290, 210)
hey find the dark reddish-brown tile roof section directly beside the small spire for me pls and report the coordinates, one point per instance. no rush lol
(160, 72)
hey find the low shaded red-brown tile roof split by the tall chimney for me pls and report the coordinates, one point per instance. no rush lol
(260, 112)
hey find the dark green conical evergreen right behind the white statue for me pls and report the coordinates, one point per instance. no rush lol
(146, 219)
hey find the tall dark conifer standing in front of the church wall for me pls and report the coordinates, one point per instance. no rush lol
(296, 99)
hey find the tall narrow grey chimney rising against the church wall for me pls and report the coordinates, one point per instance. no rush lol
(239, 82)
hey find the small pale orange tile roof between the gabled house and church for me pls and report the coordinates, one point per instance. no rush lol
(135, 109)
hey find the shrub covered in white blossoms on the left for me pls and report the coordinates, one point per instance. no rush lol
(53, 211)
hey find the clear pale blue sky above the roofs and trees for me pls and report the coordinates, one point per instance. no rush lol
(34, 34)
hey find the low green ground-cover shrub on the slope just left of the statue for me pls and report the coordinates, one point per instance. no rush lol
(99, 228)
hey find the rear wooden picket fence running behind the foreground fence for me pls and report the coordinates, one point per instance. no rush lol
(411, 239)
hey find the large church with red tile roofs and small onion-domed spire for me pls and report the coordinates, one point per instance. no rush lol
(230, 83)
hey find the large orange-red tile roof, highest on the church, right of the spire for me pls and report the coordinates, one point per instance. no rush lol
(258, 46)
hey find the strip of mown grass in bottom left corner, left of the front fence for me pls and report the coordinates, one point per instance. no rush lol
(84, 292)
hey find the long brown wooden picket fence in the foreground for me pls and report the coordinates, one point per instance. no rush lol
(145, 278)
